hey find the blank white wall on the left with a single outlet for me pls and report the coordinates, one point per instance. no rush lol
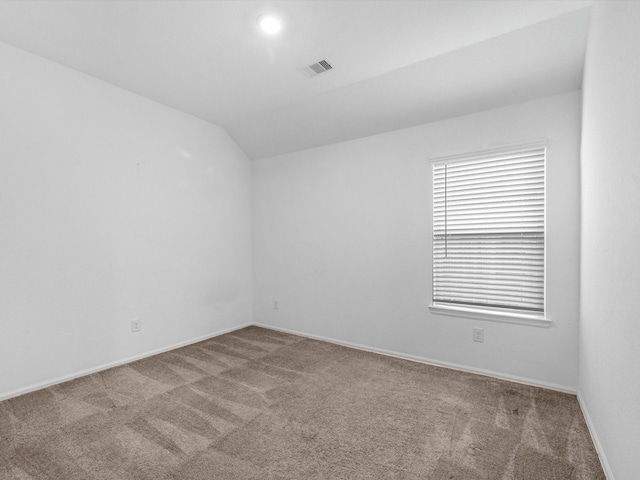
(112, 207)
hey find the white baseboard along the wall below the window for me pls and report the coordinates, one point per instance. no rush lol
(428, 361)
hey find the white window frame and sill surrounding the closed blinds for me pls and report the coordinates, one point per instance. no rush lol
(498, 314)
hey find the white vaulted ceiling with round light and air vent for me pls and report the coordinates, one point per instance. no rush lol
(396, 63)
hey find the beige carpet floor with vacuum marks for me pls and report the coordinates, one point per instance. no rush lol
(258, 404)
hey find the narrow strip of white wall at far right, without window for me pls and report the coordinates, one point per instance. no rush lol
(610, 280)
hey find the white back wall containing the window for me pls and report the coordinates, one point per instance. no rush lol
(342, 241)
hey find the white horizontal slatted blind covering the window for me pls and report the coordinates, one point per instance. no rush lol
(489, 230)
